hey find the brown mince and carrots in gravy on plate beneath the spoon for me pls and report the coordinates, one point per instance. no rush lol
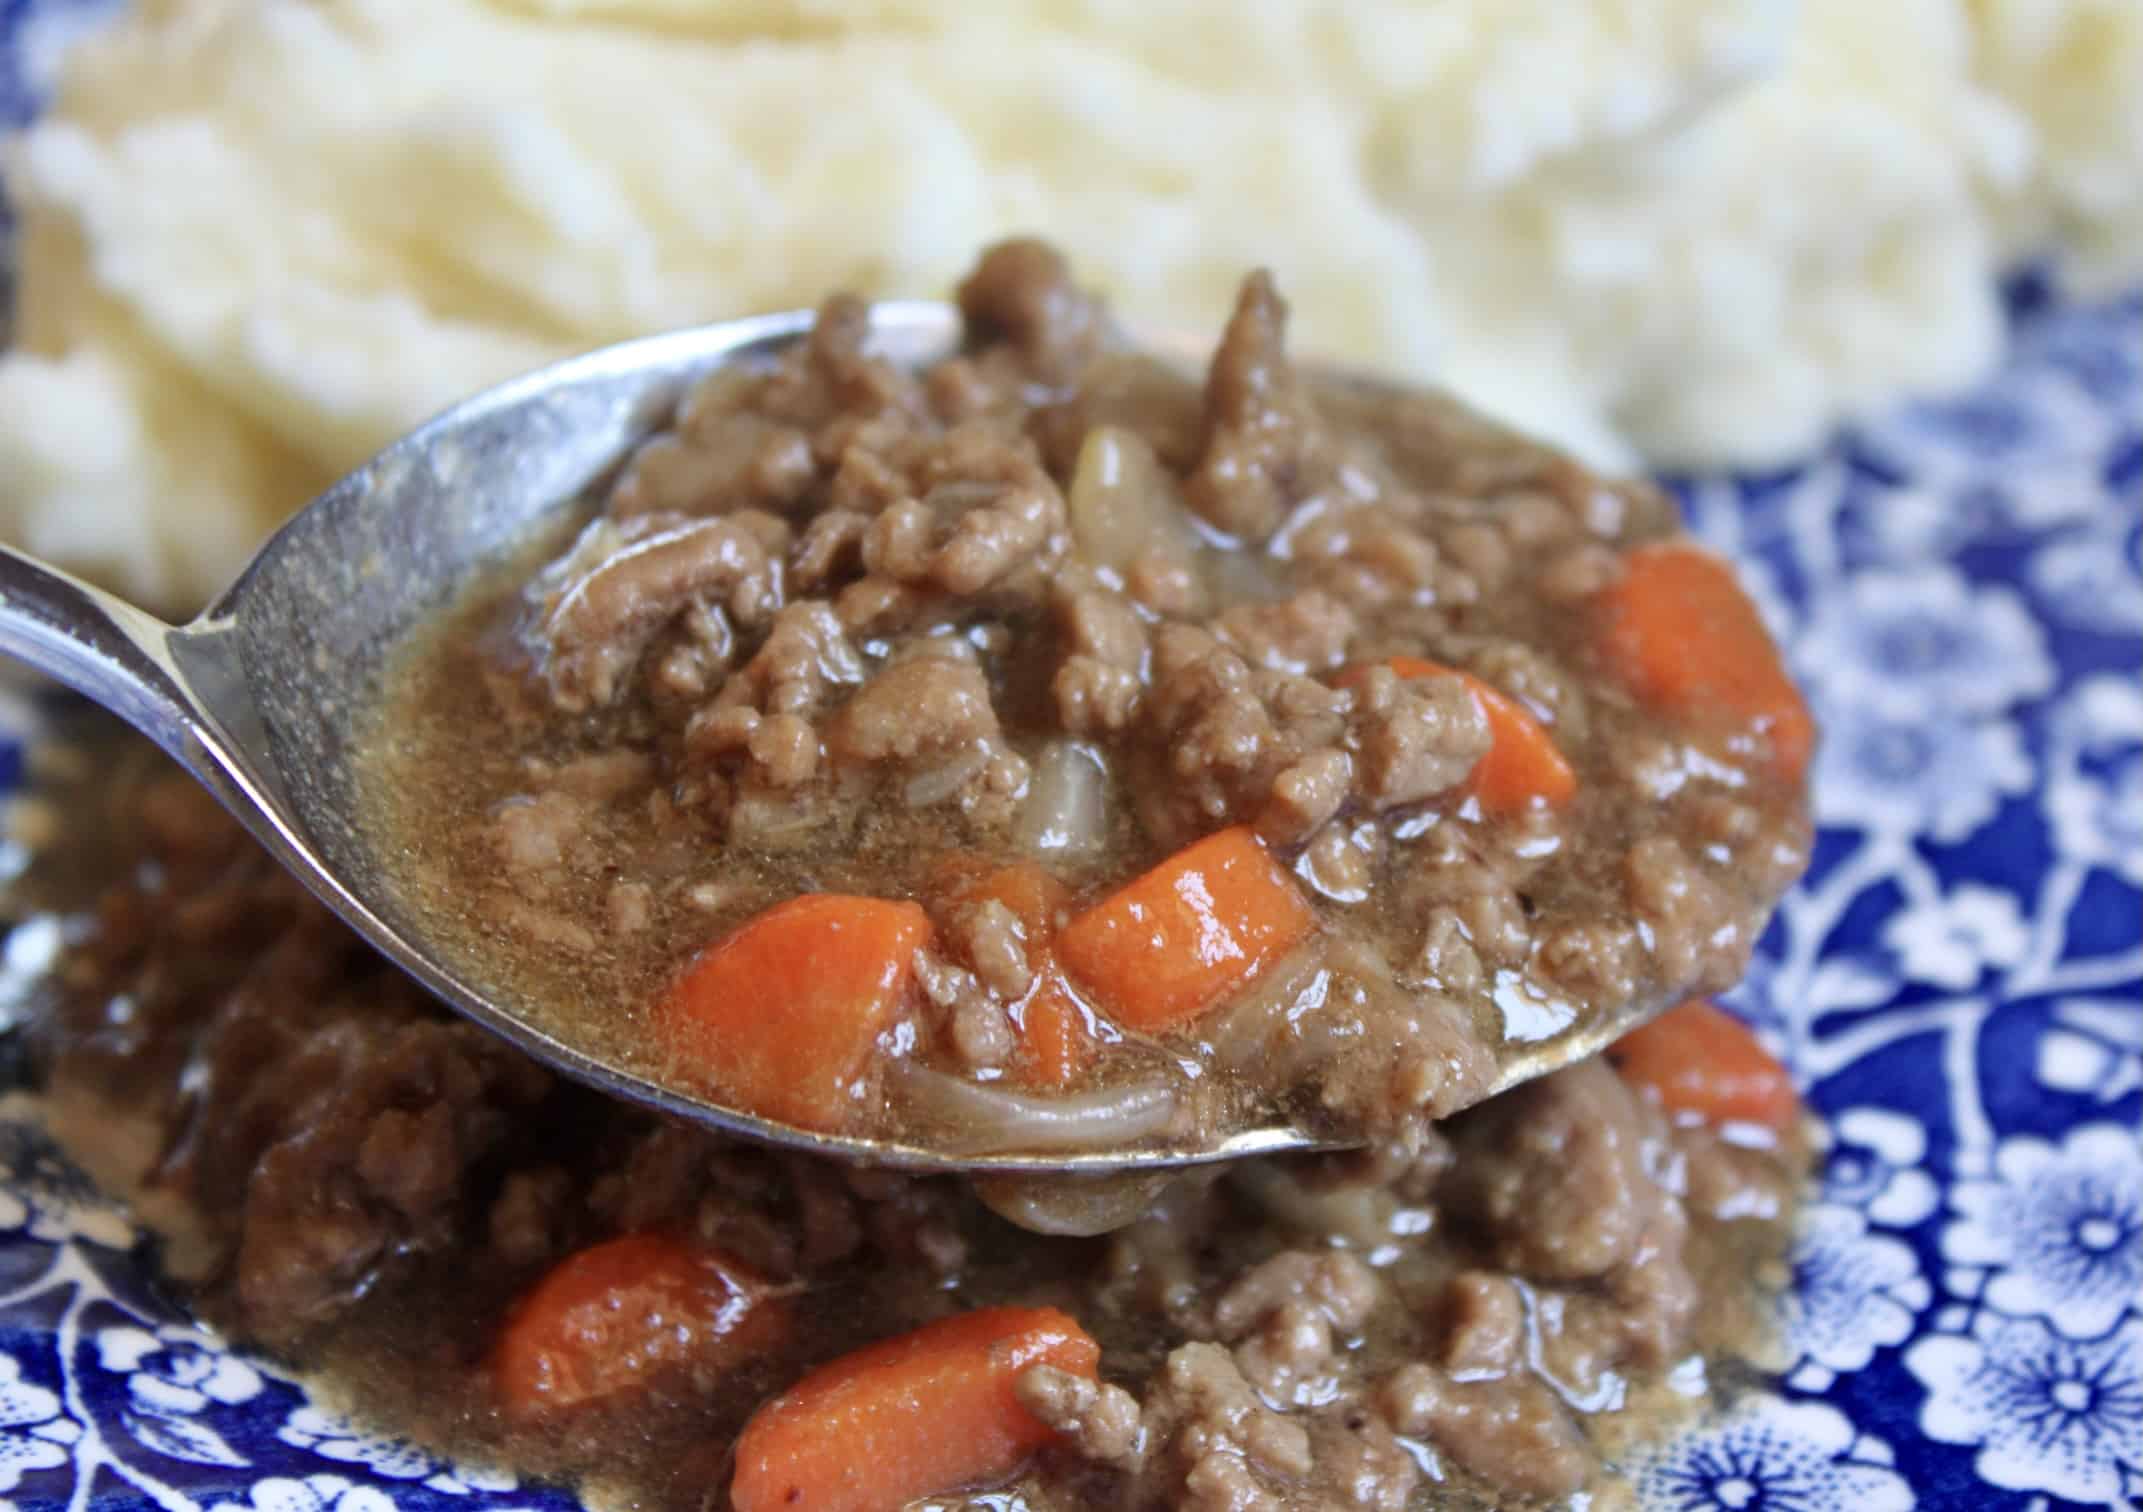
(509, 1267)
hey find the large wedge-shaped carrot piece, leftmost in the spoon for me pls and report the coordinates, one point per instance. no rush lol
(783, 1014)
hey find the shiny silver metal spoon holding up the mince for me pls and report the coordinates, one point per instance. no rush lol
(269, 693)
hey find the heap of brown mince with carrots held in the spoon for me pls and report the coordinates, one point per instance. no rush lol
(925, 749)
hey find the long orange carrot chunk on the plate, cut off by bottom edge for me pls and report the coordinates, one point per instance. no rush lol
(912, 1417)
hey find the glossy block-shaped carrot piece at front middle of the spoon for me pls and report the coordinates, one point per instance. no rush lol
(1169, 946)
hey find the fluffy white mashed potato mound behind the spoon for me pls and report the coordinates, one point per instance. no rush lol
(265, 237)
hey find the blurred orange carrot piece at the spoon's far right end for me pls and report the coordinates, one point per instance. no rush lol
(1690, 644)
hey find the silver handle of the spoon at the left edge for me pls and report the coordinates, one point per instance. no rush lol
(100, 646)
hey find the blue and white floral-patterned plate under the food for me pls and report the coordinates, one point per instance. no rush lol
(1958, 986)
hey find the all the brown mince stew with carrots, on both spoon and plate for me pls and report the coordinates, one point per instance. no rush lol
(1047, 749)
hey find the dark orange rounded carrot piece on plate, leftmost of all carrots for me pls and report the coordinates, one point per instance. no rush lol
(616, 1316)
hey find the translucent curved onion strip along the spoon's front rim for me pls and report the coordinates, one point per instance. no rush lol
(995, 1121)
